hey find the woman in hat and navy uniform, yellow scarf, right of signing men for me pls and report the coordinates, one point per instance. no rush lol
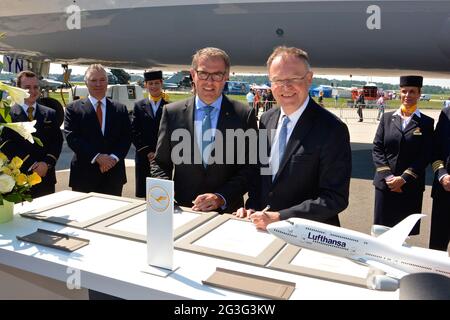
(401, 151)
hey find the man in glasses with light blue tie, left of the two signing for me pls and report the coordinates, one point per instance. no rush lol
(208, 185)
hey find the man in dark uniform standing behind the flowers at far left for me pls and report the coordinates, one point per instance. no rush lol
(39, 159)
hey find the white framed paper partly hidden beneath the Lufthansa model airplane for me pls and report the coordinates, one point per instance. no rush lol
(322, 261)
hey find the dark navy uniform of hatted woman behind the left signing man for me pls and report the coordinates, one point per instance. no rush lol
(145, 126)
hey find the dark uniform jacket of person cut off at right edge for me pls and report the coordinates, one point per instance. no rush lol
(441, 153)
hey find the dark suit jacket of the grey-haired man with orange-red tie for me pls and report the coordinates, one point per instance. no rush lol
(85, 138)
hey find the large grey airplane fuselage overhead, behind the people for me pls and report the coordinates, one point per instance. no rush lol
(344, 36)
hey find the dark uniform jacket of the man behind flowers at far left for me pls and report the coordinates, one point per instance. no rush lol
(48, 131)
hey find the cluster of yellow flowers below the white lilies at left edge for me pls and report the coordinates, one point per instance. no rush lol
(15, 185)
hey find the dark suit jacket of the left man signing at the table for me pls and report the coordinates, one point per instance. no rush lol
(190, 176)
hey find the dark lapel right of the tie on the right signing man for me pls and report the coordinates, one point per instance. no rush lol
(301, 130)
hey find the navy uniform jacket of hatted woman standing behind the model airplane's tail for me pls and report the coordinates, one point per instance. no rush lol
(404, 153)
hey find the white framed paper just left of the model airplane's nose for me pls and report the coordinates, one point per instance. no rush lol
(238, 237)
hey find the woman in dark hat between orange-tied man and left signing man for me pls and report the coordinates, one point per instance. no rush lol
(145, 125)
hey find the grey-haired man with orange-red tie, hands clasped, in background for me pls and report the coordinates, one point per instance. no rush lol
(98, 130)
